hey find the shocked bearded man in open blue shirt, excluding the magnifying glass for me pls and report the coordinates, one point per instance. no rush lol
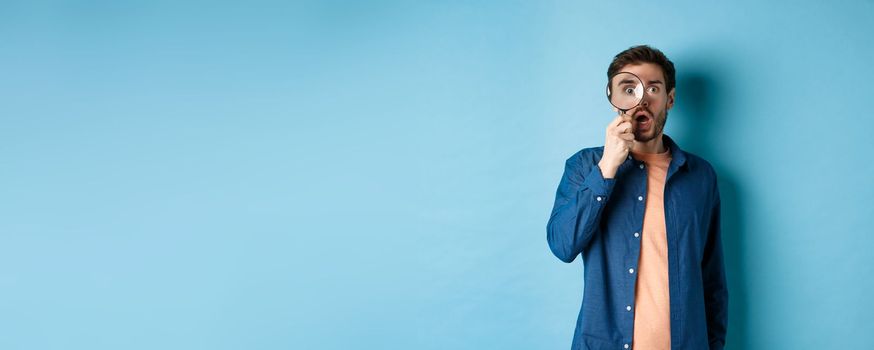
(645, 216)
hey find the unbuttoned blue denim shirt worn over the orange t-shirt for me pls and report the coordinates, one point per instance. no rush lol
(599, 217)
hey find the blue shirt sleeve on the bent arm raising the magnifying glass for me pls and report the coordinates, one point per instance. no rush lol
(579, 201)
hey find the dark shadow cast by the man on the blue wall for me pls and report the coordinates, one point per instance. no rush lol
(702, 98)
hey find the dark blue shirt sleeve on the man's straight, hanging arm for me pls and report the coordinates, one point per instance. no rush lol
(715, 286)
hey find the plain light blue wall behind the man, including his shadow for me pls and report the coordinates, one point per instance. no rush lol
(378, 175)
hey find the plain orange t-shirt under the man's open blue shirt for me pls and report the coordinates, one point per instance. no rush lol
(652, 316)
